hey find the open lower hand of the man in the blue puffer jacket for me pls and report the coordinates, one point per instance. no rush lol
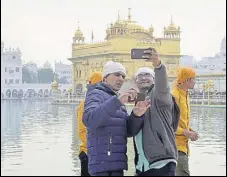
(141, 107)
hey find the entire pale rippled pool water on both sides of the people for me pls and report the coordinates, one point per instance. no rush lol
(38, 138)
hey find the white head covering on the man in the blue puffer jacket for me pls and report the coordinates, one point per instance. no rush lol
(113, 67)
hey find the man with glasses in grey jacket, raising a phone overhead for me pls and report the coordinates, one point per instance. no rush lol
(155, 148)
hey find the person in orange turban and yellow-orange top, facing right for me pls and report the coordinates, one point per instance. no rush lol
(185, 81)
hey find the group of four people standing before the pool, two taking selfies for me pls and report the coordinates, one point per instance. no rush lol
(159, 122)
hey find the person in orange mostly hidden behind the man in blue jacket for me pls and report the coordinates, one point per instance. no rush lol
(95, 78)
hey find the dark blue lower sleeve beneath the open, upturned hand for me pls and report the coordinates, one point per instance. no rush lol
(134, 125)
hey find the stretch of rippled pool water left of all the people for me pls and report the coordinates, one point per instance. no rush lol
(43, 142)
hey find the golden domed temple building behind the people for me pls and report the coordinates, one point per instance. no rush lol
(121, 37)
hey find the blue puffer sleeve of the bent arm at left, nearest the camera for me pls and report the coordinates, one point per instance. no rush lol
(97, 111)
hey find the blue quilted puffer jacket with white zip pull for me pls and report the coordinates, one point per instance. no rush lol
(108, 126)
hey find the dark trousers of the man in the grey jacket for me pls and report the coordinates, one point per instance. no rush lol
(168, 170)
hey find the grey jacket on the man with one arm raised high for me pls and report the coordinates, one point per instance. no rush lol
(161, 121)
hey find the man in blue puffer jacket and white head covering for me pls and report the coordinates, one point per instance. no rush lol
(108, 123)
